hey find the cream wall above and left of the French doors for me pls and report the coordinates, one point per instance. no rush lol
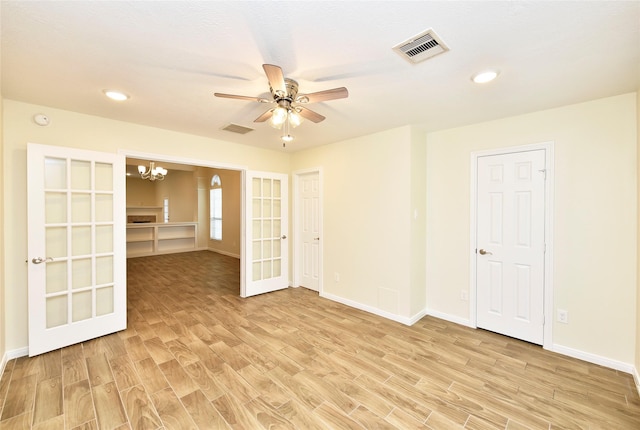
(89, 132)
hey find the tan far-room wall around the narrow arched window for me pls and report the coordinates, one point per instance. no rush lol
(231, 181)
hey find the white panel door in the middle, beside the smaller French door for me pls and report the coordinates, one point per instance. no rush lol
(309, 198)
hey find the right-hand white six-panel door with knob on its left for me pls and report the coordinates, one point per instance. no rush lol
(511, 244)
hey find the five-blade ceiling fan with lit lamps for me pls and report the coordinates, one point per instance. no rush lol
(289, 110)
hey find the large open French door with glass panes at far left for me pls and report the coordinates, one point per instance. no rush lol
(76, 246)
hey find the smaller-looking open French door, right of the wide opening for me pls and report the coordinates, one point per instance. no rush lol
(266, 224)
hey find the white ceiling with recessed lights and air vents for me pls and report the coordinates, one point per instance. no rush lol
(172, 56)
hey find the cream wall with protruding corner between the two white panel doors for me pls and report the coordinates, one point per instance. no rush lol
(369, 202)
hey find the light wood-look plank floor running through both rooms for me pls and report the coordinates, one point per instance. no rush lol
(196, 355)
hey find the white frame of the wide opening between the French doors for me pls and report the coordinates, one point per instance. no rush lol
(214, 165)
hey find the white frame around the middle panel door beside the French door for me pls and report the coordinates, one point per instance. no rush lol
(297, 233)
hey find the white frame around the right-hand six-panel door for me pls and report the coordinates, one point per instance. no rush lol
(548, 227)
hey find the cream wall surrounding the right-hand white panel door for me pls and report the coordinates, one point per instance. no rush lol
(595, 218)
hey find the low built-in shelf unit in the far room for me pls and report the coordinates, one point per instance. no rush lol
(161, 238)
